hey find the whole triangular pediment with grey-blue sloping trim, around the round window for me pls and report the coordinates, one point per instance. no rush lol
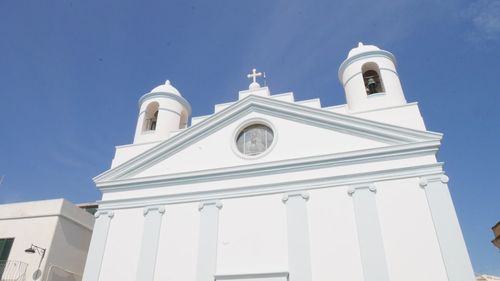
(301, 132)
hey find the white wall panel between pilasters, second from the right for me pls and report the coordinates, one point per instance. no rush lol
(334, 242)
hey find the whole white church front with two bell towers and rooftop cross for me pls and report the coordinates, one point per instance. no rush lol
(272, 189)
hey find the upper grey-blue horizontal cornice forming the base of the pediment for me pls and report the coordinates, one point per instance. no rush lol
(276, 167)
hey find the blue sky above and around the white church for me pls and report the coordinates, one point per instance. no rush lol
(71, 73)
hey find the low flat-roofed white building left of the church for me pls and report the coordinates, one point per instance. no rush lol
(43, 240)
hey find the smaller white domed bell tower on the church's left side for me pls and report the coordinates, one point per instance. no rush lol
(161, 111)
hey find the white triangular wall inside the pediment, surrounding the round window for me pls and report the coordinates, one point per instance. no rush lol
(292, 140)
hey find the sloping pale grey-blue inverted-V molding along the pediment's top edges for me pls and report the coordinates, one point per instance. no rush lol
(321, 118)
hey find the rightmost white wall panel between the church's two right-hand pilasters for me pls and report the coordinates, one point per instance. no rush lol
(409, 237)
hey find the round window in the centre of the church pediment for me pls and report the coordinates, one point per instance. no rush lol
(254, 139)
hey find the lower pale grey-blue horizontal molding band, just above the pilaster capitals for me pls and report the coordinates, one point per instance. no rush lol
(277, 188)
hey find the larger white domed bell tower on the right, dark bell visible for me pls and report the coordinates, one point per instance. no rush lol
(370, 79)
